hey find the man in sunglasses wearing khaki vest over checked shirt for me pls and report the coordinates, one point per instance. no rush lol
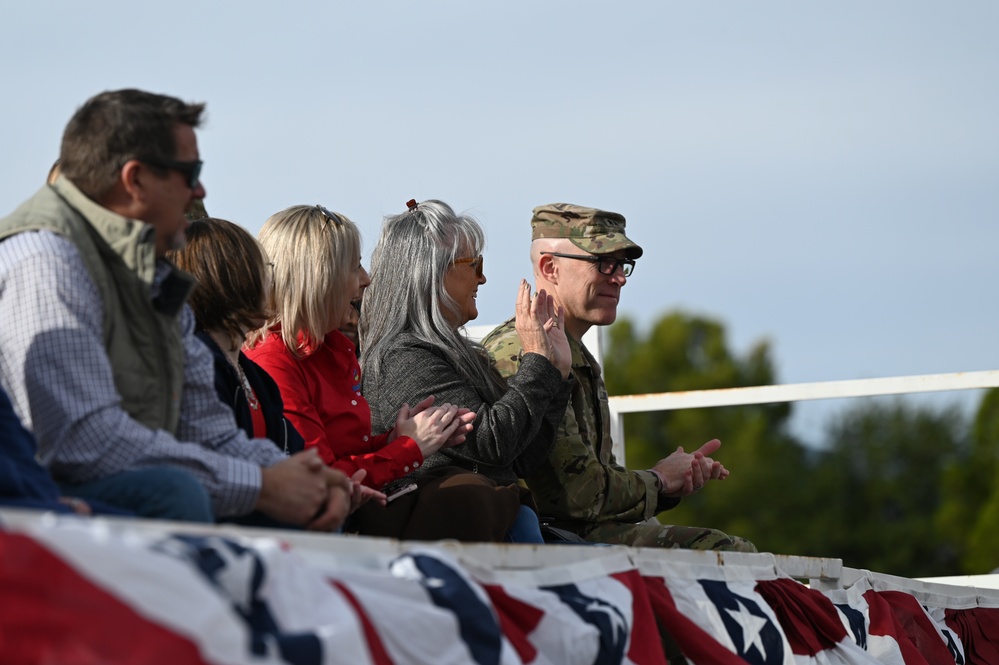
(97, 342)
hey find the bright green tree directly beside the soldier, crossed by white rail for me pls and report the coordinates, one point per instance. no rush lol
(763, 497)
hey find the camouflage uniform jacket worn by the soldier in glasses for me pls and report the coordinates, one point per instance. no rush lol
(580, 485)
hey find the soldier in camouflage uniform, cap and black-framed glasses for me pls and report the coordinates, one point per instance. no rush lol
(582, 257)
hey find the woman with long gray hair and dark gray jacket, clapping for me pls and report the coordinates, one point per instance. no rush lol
(425, 274)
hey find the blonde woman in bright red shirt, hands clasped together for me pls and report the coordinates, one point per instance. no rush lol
(317, 272)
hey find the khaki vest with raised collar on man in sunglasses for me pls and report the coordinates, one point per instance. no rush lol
(141, 335)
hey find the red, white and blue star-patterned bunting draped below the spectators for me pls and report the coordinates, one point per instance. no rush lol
(81, 592)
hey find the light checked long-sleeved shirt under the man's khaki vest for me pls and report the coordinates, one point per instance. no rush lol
(57, 373)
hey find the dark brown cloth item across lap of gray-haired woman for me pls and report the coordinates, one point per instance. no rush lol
(450, 502)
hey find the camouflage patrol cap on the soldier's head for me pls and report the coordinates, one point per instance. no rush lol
(594, 231)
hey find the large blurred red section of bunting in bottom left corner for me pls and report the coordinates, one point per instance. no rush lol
(51, 614)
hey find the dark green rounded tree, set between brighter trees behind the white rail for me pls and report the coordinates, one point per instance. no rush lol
(882, 474)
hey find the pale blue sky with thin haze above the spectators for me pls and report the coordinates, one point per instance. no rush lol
(822, 175)
